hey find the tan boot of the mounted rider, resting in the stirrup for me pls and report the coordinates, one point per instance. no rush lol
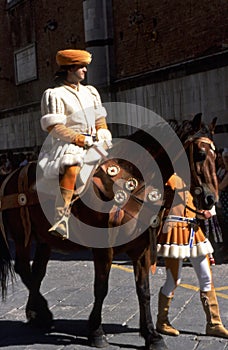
(62, 212)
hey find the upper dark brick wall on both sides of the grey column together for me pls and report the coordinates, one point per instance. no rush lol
(147, 35)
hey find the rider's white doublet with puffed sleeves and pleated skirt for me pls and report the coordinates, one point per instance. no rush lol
(78, 109)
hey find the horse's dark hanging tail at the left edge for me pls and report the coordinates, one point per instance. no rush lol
(6, 267)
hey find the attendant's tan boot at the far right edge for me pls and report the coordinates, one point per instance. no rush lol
(214, 324)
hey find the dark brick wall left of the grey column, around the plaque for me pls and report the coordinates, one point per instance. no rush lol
(26, 23)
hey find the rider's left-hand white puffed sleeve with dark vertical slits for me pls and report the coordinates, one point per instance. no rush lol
(52, 109)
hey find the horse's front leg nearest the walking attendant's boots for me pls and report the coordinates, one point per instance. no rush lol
(153, 340)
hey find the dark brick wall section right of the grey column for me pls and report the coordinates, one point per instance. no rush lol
(157, 33)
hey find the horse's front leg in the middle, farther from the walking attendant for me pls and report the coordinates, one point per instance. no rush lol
(102, 264)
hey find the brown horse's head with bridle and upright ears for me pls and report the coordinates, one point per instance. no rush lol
(197, 139)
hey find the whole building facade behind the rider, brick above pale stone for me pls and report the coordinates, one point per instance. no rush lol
(168, 56)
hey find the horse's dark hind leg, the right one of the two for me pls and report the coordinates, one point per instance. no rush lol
(37, 311)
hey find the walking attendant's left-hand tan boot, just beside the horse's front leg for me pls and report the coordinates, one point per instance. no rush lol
(163, 325)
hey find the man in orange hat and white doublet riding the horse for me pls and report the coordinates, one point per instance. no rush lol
(74, 116)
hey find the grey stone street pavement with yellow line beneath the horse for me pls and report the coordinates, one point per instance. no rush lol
(68, 287)
